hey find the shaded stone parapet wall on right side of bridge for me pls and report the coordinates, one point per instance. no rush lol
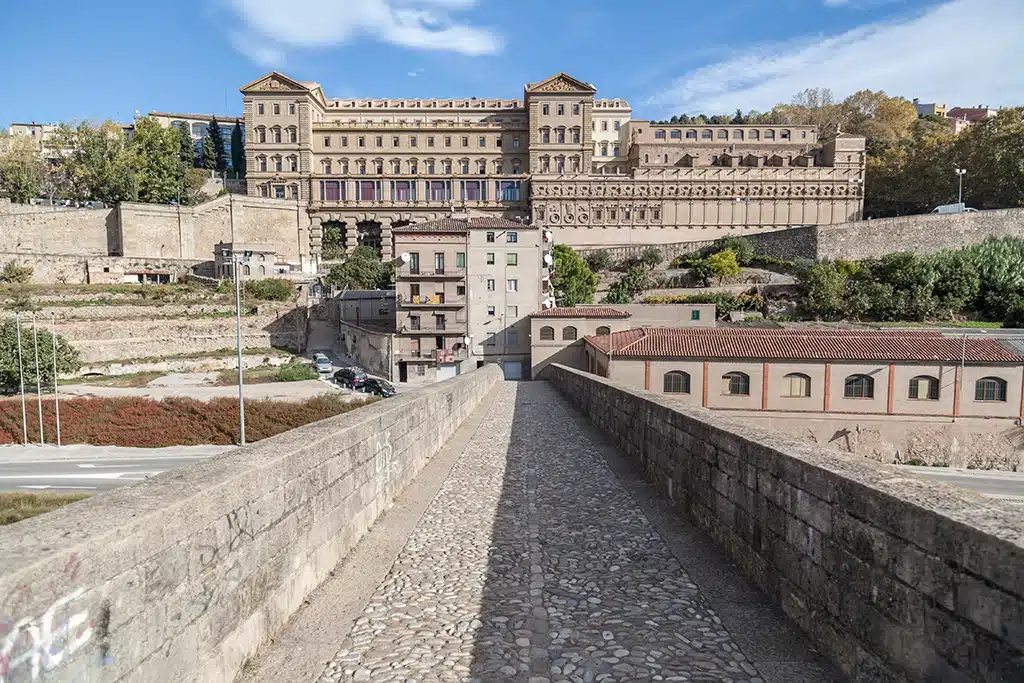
(895, 579)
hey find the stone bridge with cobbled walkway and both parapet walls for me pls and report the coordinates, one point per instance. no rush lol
(558, 531)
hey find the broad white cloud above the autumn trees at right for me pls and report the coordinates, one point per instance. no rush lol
(962, 53)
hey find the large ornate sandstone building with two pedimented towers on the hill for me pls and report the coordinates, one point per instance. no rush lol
(559, 158)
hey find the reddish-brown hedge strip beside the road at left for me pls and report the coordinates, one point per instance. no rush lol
(153, 424)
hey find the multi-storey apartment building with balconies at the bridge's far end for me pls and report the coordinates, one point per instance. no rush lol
(465, 289)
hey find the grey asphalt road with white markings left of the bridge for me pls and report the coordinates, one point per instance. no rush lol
(90, 468)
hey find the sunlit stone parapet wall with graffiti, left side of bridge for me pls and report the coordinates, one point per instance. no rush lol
(184, 577)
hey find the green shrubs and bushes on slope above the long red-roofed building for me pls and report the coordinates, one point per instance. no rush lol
(978, 286)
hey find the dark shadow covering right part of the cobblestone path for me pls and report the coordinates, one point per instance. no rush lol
(580, 586)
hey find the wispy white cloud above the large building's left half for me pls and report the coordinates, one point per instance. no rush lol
(423, 25)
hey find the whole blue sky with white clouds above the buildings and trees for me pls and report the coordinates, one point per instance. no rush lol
(109, 59)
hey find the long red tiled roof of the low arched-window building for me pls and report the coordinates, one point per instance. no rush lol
(800, 345)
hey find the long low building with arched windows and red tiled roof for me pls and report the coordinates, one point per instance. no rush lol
(835, 372)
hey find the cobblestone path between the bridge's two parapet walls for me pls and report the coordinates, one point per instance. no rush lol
(535, 565)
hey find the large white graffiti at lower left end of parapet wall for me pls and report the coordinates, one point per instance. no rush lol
(33, 647)
